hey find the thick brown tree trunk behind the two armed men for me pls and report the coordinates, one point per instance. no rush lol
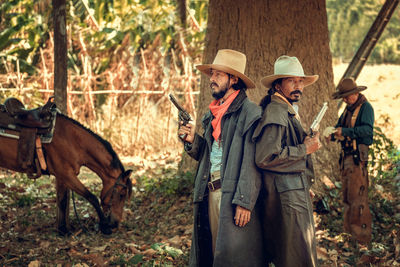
(265, 30)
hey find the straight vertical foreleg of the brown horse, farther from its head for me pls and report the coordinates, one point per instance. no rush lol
(63, 196)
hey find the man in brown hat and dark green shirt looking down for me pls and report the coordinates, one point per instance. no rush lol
(354, 130)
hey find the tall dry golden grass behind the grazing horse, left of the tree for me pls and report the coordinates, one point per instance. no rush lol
(135, 115)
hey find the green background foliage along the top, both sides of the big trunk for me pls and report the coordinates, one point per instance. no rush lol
(104, 26)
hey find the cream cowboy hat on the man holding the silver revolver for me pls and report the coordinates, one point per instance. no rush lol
(285, 67)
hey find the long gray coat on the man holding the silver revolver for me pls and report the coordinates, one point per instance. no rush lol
(288, 224)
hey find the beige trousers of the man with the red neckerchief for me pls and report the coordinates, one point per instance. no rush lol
(214, 203)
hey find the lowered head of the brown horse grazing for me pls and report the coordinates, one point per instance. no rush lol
(113, 199)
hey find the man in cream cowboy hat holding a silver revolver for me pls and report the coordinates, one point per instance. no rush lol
(283, 151)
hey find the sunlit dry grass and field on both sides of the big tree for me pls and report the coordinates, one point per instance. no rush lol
(143, 122)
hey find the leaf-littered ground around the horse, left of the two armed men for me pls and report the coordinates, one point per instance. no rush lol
(156, 230)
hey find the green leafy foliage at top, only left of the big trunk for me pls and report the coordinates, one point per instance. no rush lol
(102, 25)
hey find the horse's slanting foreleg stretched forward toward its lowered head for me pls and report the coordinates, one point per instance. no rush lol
(73, 183)
